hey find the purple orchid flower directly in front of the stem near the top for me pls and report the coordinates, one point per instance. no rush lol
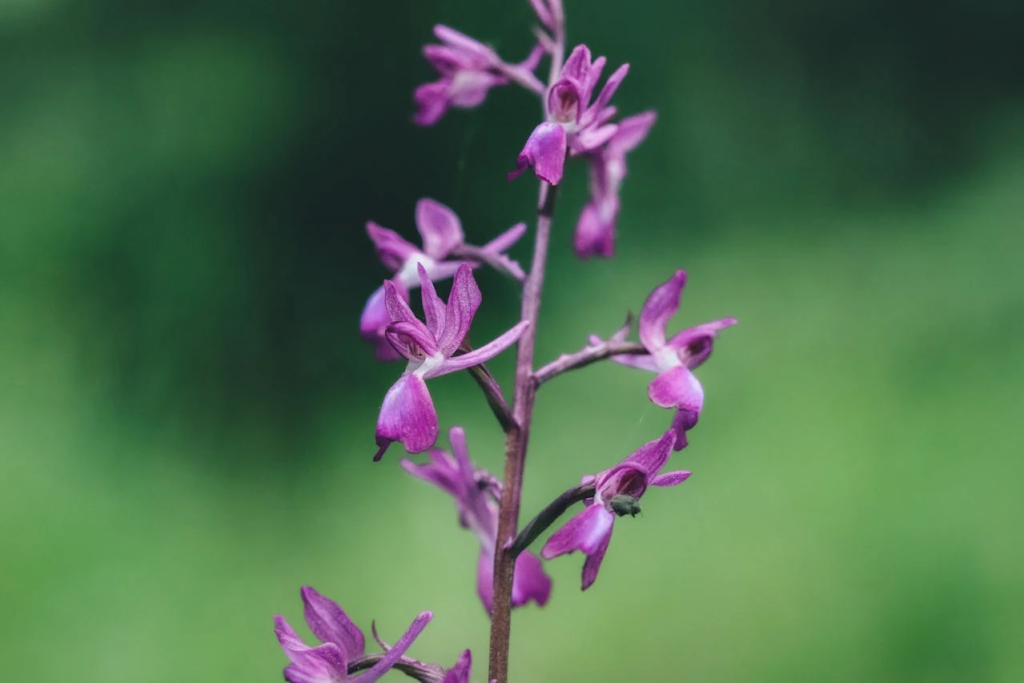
(574, 124)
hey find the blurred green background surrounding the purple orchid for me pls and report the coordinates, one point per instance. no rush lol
(188, 414)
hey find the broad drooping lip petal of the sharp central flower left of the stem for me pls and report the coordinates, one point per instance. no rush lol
(408, 415)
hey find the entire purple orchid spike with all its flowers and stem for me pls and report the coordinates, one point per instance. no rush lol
(577, 123)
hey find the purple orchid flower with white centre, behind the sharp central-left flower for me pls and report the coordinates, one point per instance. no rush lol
(442, 234)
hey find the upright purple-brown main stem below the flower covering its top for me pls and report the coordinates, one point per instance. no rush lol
(516, 444)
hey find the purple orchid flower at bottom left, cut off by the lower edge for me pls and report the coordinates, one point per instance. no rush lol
(344, 645)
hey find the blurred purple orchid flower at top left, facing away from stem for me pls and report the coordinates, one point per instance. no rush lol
(468, 70)
